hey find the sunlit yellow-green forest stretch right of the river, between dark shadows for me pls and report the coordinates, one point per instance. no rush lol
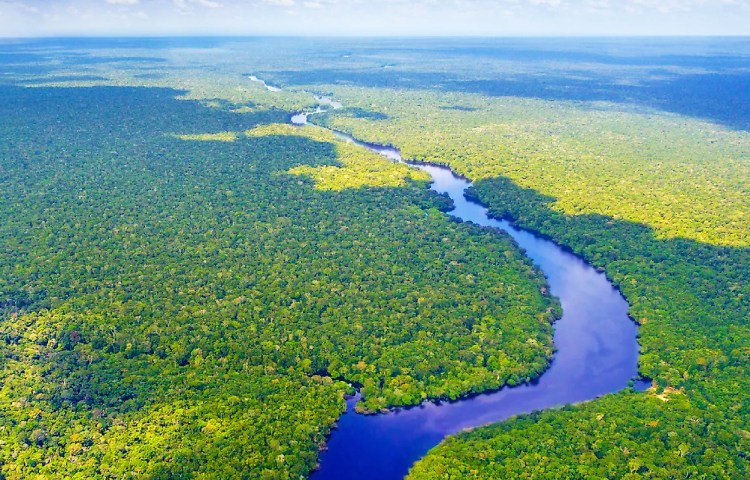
(684, 178)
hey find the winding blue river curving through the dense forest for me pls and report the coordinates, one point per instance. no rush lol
(597, 353)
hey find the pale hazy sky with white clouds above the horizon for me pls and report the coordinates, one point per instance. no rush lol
(35, 18)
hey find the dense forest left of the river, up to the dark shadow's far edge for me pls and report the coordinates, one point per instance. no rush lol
(180, 300)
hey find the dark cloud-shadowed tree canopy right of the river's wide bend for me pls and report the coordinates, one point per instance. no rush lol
(692, 299)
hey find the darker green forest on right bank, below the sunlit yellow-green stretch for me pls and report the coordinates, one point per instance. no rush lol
(692, 302)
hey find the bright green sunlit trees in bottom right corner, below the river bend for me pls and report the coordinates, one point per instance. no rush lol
(625, 436)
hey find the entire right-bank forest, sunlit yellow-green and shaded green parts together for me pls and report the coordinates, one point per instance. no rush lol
(675, 244)
